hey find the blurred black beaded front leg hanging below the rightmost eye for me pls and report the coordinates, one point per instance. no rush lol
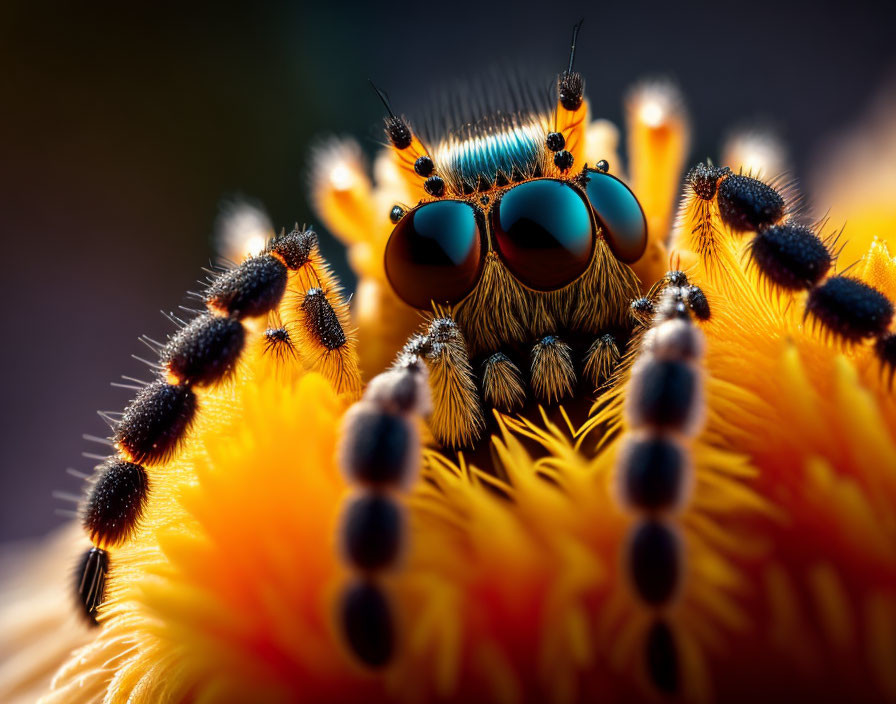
(664, 407)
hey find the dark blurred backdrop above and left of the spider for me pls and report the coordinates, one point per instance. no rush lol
(122, 129)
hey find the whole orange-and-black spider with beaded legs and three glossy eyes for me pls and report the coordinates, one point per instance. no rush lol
(543, 279)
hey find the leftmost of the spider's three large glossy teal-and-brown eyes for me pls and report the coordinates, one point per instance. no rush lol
(435, 253)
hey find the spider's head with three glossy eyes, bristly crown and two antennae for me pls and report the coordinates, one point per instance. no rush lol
(512, 229)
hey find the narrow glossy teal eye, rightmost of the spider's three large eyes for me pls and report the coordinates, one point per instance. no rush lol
(619, 214)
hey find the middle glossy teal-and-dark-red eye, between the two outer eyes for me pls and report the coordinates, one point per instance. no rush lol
(543, 233)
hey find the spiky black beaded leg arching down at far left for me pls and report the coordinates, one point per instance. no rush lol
(201, 354)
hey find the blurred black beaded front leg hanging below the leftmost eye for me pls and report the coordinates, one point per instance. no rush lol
(380, 453)
